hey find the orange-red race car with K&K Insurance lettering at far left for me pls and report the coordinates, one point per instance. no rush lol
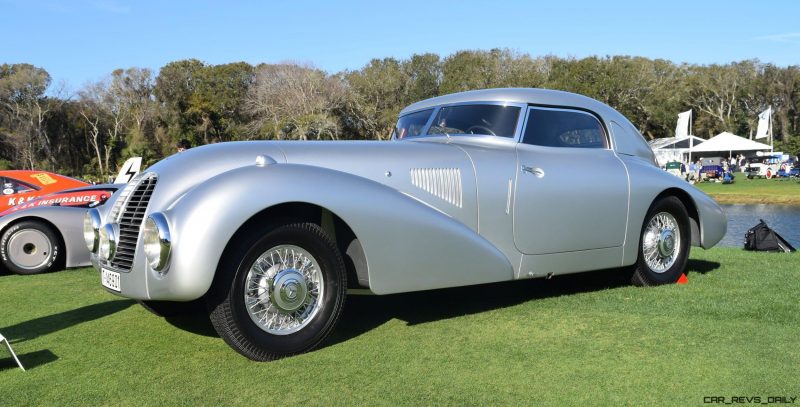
(22, 186)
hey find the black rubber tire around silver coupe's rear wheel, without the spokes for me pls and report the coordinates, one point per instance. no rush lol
(643, 274)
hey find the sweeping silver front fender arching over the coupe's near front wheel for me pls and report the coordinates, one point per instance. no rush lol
(408, 245)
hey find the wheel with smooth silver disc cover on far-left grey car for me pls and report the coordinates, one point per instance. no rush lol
(31, 247)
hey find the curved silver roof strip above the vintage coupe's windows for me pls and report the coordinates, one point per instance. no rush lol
(514, 95)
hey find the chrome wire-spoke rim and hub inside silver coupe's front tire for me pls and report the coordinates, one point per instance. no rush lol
(283, 289)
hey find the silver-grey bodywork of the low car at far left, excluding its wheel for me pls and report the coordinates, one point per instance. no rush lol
(67, 221)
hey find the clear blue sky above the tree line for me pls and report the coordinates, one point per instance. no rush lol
(84, 40)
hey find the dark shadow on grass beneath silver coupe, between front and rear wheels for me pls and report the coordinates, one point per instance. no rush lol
(363, 313)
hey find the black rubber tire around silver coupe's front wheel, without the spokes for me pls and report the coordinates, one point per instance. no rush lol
(226, 303)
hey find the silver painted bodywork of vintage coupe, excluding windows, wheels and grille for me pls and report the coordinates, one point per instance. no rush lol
(429, 212)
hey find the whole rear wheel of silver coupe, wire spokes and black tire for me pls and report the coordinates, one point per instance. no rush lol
(664, 244)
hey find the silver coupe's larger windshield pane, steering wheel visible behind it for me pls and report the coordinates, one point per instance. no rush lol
(492, 120)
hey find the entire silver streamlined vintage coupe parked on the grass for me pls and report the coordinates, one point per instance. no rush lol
(475, 187)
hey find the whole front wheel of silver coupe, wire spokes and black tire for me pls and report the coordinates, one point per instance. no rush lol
(278, 294)
